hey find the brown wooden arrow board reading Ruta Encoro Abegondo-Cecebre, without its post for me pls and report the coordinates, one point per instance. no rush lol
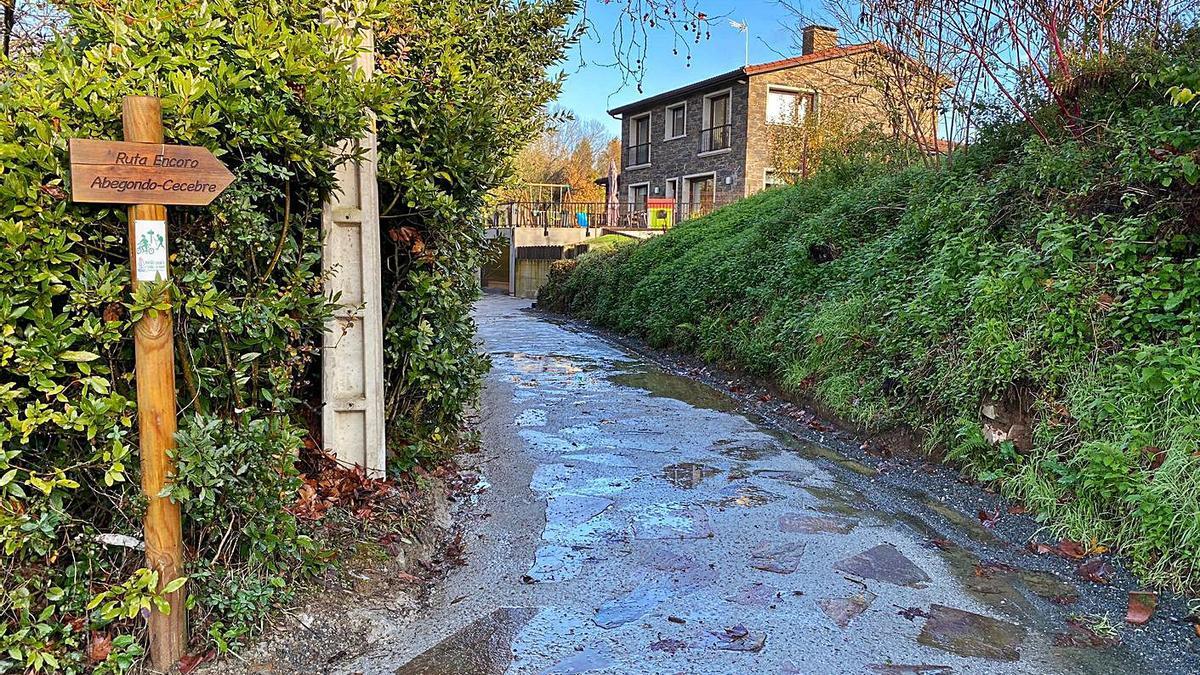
(117, 172)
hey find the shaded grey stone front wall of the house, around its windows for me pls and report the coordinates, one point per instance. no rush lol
(682, 158)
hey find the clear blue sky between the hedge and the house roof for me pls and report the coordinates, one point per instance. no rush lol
(592, 87)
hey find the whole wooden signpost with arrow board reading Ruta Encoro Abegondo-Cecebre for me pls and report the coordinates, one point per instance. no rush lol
(149, 176)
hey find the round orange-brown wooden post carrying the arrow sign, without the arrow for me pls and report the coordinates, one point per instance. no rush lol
(153, 347)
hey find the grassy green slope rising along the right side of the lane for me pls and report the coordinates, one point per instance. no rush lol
(1063, 273)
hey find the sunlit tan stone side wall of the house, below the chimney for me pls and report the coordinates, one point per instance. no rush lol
(851, 86)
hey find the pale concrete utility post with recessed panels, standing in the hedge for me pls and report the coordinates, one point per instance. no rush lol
(352, 365)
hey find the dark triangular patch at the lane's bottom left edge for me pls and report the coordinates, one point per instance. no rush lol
(482, 648)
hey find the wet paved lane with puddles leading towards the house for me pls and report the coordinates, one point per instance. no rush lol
(631, 521)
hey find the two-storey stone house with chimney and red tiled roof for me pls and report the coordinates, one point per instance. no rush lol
(710, 144)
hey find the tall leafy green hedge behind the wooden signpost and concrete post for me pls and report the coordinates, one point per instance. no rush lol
(266, 86)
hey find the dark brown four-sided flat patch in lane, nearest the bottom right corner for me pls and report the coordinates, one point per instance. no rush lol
(971, 635)
